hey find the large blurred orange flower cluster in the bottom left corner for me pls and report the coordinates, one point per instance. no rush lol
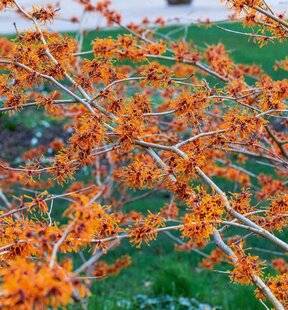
(49, 288)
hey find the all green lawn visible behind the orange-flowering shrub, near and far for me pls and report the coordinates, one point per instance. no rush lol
(158, 270)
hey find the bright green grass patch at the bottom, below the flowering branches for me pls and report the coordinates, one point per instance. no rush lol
(158, 270)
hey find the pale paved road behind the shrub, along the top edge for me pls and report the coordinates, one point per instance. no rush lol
(131, 10)
